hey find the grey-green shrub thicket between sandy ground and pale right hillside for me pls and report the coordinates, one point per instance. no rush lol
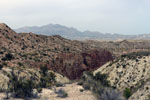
(100, 86)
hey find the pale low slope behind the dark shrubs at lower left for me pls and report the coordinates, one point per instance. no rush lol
(24, 74)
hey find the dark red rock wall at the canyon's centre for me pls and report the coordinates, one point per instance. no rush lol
(73, 65)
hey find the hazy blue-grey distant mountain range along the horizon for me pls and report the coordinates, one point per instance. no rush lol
(72, 33)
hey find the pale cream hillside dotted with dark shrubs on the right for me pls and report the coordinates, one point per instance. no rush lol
(130, 71)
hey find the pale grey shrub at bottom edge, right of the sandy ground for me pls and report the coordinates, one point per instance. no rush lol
(110, 94)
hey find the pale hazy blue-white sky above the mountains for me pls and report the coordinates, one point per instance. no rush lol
(112, 16)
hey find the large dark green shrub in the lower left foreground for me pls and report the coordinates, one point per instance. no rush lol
(21, 88)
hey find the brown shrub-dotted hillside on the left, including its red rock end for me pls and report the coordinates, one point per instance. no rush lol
(67, 57)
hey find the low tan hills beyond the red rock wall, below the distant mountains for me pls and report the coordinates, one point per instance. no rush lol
(121, 47)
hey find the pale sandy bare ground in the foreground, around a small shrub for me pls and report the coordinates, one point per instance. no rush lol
(73, 91)
